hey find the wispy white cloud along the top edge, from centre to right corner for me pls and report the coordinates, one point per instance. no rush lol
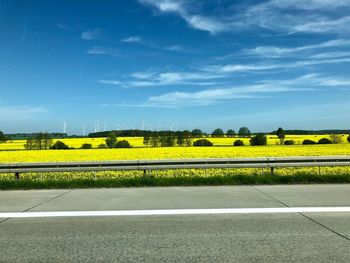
(315, 16)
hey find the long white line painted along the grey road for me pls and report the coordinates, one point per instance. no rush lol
(172, 212)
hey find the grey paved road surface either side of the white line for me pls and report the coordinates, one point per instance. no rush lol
(251, 237)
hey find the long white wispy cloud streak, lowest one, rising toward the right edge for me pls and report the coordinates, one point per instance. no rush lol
(259, 90)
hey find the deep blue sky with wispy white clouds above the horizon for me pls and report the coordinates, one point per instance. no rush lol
(188, 64)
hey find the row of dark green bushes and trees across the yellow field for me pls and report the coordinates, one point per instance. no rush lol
(43, 141)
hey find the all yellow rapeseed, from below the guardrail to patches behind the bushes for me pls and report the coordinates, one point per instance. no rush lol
(224, 149)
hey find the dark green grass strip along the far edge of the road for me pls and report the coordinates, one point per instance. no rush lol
(154, 181)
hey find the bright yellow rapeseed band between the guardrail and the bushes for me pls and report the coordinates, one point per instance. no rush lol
(172, 152)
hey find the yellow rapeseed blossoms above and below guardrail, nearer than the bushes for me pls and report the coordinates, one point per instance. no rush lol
(171, 153)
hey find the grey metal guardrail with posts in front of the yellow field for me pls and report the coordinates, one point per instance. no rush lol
(147, 165)
